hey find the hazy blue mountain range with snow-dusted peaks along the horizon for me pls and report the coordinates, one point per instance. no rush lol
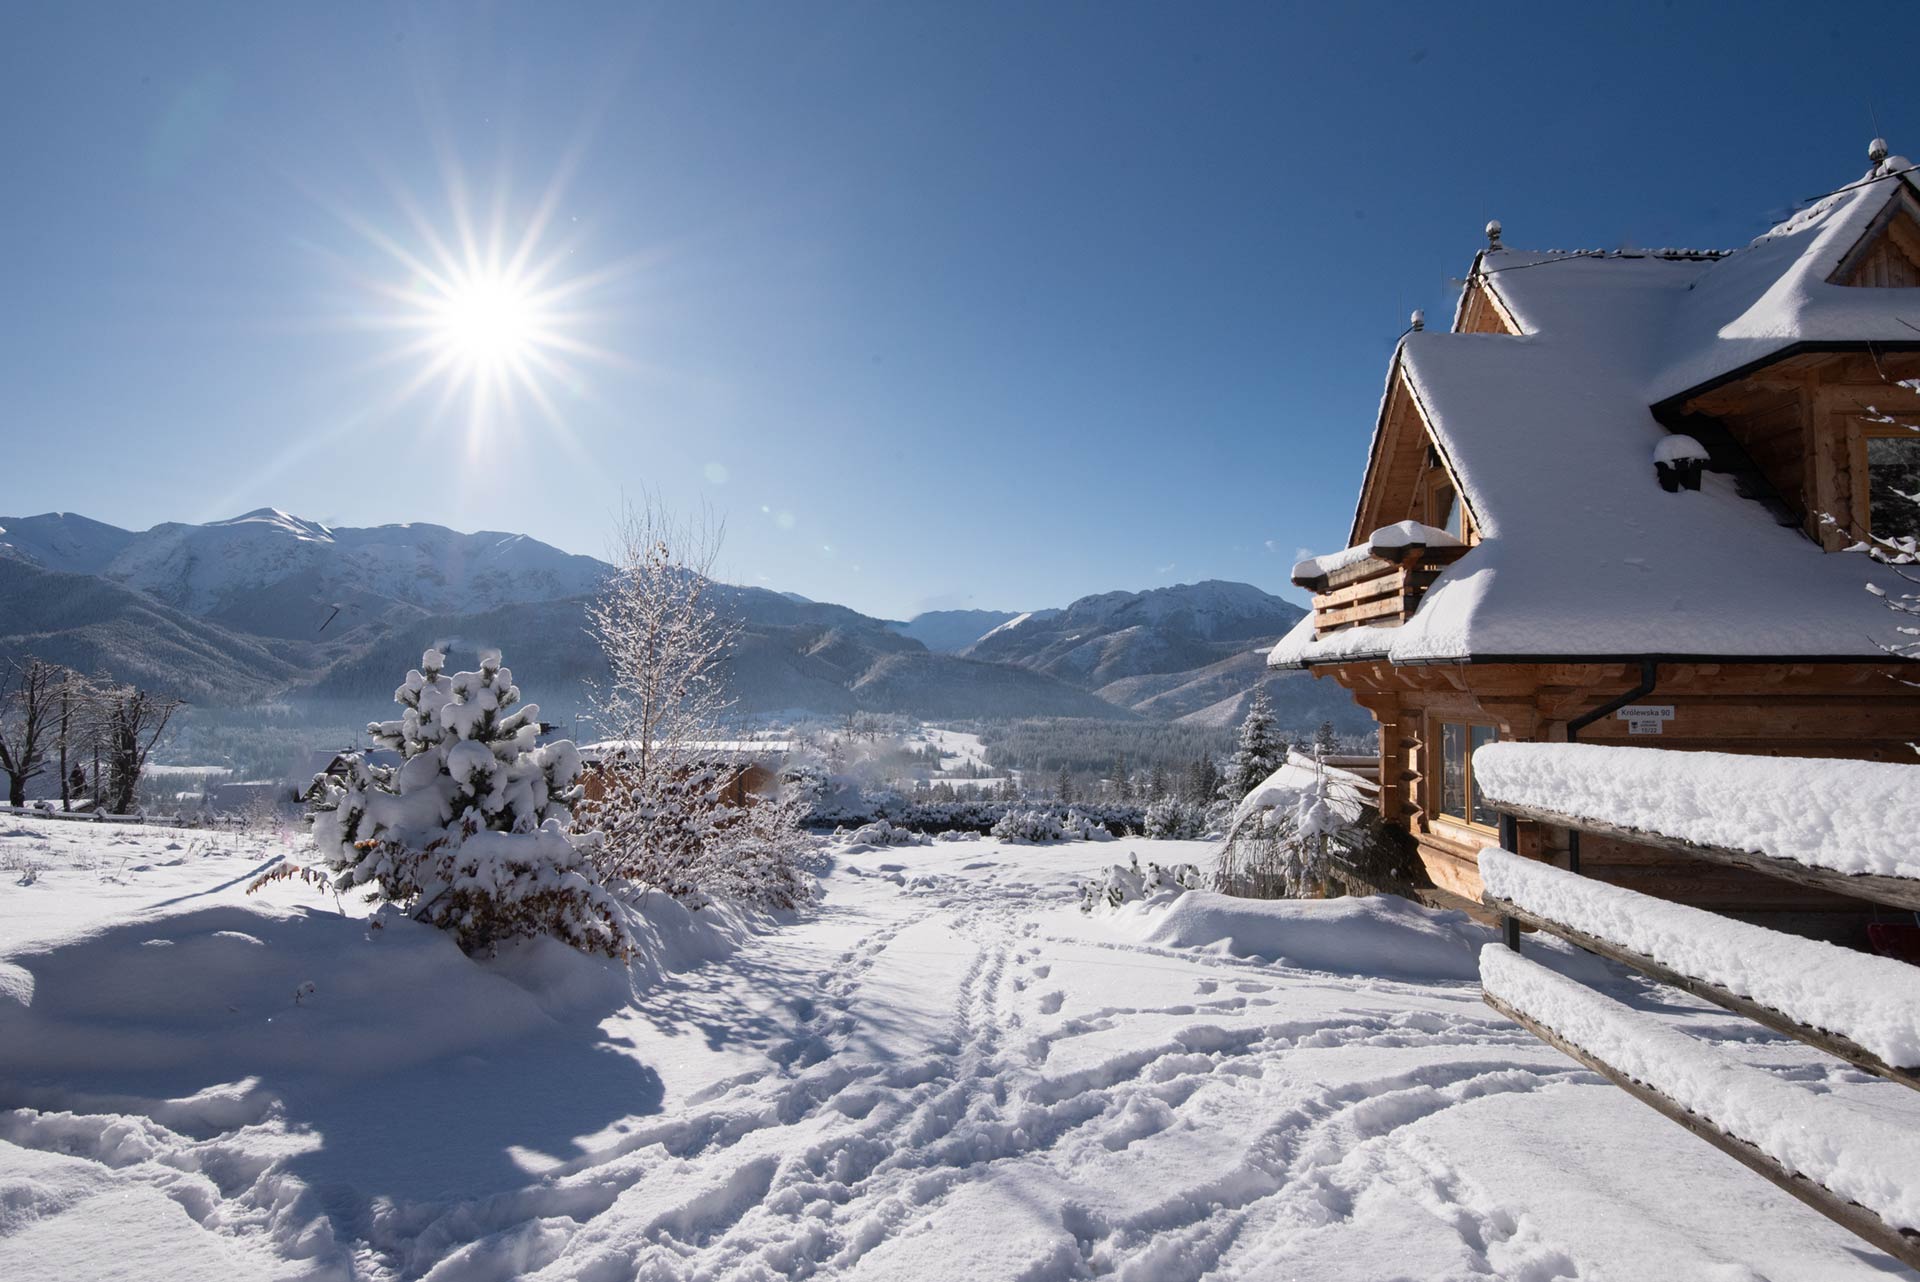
(272, 605)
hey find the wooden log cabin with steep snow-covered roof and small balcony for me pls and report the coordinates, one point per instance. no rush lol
(1616, 504)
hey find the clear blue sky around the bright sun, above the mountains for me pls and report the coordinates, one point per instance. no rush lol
(938, 306)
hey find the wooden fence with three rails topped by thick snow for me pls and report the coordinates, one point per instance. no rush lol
(1836, 826)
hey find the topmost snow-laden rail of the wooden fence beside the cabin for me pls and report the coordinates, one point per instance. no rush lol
(1852, 828)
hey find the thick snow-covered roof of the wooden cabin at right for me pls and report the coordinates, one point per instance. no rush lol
(1552, 439)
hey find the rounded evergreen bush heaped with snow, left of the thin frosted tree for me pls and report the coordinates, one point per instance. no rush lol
(471, 832)
